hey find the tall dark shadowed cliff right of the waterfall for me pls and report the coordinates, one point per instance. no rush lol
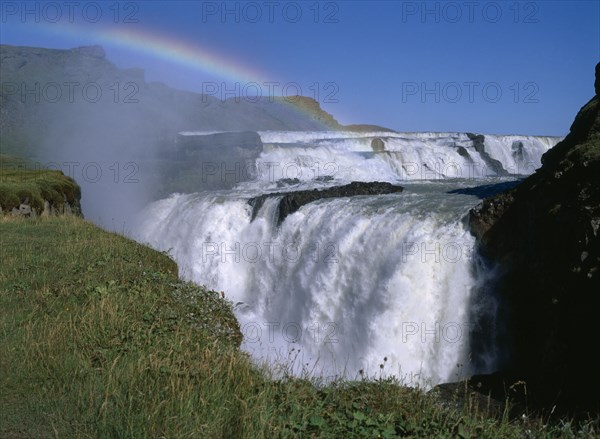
(544, 238)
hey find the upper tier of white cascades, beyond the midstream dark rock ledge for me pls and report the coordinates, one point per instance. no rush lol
(405, 156)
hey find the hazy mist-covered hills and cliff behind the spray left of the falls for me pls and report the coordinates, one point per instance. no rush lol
(116, 134)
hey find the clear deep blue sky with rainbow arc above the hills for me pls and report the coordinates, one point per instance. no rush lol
(489, 66)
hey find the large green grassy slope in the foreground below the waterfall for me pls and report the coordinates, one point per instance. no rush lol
(99, 338)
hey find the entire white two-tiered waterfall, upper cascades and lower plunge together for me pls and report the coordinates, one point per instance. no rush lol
(378, 284)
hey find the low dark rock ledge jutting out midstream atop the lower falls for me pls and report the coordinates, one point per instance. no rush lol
(292, 201)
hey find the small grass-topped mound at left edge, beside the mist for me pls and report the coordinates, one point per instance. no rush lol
(21, 182)
